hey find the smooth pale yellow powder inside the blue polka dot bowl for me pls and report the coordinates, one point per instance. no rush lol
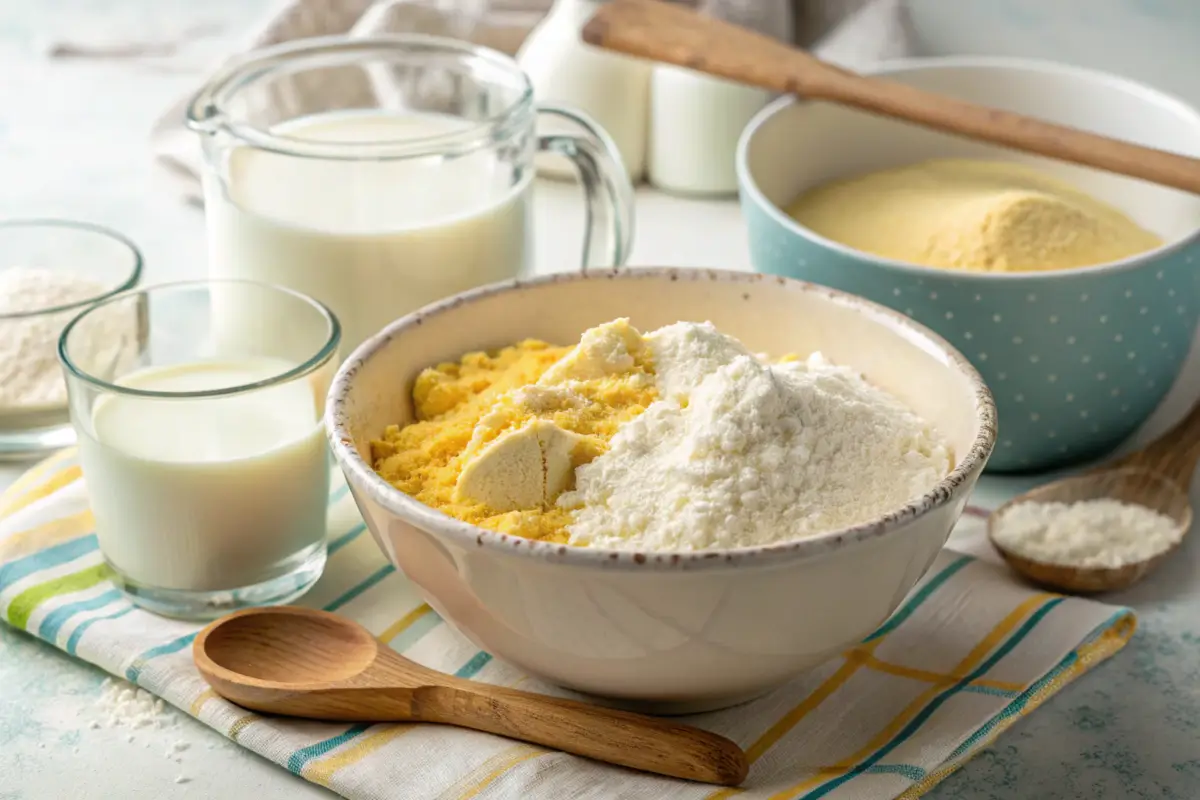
(977, 216)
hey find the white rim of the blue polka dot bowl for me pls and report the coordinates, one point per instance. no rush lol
(1181, 109)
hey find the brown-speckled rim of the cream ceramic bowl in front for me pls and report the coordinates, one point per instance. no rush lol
(363, 478)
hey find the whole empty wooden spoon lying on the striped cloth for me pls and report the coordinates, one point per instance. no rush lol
(309, 664)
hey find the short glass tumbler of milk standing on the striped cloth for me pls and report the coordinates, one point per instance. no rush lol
(202, 446)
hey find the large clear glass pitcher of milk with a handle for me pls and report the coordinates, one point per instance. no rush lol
(381, 175)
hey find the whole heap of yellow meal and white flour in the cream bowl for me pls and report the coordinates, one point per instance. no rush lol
(679, 440)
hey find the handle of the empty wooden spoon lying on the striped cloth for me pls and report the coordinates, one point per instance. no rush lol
(641, 743)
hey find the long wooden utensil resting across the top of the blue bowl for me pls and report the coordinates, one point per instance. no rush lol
(676, 35)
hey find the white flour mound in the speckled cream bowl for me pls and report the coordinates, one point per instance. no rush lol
(740, 453)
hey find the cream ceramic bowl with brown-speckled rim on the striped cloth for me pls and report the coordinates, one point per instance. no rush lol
(664, 631)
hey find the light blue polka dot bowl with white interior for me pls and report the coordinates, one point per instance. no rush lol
(1076, 359)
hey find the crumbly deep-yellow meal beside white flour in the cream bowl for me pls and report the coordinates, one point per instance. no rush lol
(463, 407)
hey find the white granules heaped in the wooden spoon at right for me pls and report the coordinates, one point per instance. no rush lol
(1089, 534)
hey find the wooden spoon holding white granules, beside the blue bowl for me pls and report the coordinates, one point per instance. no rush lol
(1157, 477)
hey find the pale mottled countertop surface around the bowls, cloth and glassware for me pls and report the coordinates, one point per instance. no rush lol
(74, 143)
